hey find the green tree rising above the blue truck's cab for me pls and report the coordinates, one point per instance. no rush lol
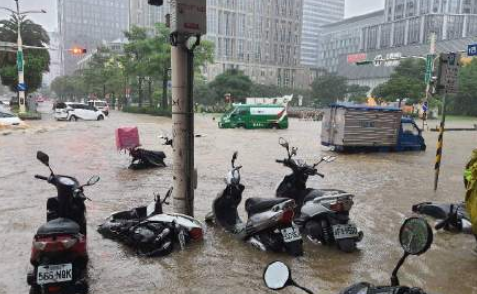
(406, 82)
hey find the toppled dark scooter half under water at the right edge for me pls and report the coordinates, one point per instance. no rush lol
(451, 217)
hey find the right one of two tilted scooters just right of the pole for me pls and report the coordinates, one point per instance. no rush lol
(322, 214)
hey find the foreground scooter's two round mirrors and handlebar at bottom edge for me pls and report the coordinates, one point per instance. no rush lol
(416, 238)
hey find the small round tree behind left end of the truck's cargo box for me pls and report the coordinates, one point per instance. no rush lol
(328, 88)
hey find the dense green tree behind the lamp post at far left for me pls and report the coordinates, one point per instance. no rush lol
(36, 61)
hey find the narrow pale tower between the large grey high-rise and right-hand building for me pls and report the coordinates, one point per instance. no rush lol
(317, 13)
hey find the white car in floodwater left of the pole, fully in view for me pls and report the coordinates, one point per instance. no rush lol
(74, 111)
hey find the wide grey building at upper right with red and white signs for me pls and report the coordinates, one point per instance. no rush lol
(404, 31)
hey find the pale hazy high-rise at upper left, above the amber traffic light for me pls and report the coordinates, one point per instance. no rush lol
(88, 24)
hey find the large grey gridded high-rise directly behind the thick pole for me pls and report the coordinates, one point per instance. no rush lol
(261, 38)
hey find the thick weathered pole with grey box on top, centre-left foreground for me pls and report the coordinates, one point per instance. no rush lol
(187, 21)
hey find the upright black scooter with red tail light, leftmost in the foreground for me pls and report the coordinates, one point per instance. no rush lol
(58, 254)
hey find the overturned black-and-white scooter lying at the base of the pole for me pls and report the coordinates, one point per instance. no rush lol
(150, 231)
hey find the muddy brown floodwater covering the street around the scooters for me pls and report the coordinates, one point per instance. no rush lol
(386, 185)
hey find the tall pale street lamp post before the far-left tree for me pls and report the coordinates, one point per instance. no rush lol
(21, 87)
